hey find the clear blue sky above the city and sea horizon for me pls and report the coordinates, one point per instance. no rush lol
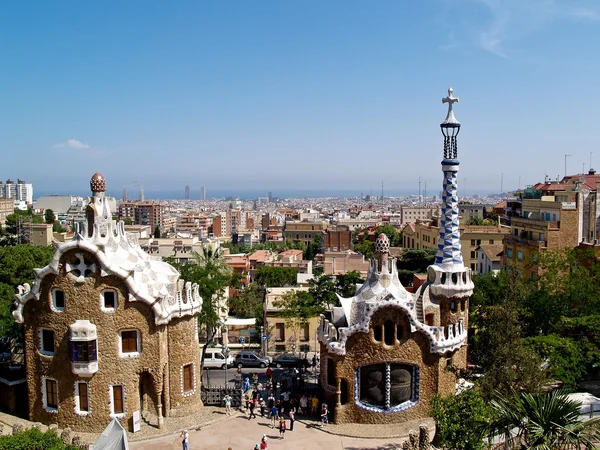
(269, 95)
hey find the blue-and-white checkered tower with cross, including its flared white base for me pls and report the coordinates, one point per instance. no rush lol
(449, 277)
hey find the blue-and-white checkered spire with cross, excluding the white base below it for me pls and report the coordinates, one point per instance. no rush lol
(449, 252)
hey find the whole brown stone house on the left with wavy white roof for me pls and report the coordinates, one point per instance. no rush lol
(108, 331)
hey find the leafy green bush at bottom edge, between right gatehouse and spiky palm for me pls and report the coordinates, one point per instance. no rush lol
(461, 420)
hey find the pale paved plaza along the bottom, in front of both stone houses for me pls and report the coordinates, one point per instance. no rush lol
(239, 433)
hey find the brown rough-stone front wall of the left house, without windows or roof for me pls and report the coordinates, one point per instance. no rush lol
(82, 302)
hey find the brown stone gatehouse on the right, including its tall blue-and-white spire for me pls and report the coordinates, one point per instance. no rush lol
(386, 352)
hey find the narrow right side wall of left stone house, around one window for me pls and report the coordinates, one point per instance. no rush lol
(183, 350)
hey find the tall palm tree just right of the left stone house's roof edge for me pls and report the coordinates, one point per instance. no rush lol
(213, 276)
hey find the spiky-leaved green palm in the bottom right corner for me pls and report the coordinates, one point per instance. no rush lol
(542, 421)
